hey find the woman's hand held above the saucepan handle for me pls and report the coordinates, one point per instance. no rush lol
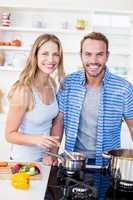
(48, 142)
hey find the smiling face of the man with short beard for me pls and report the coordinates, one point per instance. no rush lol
(94, 57)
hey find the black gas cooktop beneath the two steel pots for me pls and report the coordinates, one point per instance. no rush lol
(87, 184)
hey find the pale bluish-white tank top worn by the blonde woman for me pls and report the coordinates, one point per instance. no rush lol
(35, 122)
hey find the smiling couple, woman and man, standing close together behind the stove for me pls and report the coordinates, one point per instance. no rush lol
(91, 103)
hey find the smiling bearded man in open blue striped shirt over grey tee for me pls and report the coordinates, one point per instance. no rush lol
(93, 102)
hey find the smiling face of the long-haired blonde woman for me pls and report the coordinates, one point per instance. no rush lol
(48, 57)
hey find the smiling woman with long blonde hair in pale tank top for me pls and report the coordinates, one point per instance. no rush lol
(33, 104)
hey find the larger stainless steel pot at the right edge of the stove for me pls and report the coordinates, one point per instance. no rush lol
(121, 164)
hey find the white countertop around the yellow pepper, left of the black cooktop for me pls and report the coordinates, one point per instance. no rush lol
(35, 192)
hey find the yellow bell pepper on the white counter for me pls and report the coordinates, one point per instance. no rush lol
(20, 181)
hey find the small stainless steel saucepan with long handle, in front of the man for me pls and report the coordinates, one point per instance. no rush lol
(72, 163)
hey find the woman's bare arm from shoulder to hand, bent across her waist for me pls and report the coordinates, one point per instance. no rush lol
(19, 104)
